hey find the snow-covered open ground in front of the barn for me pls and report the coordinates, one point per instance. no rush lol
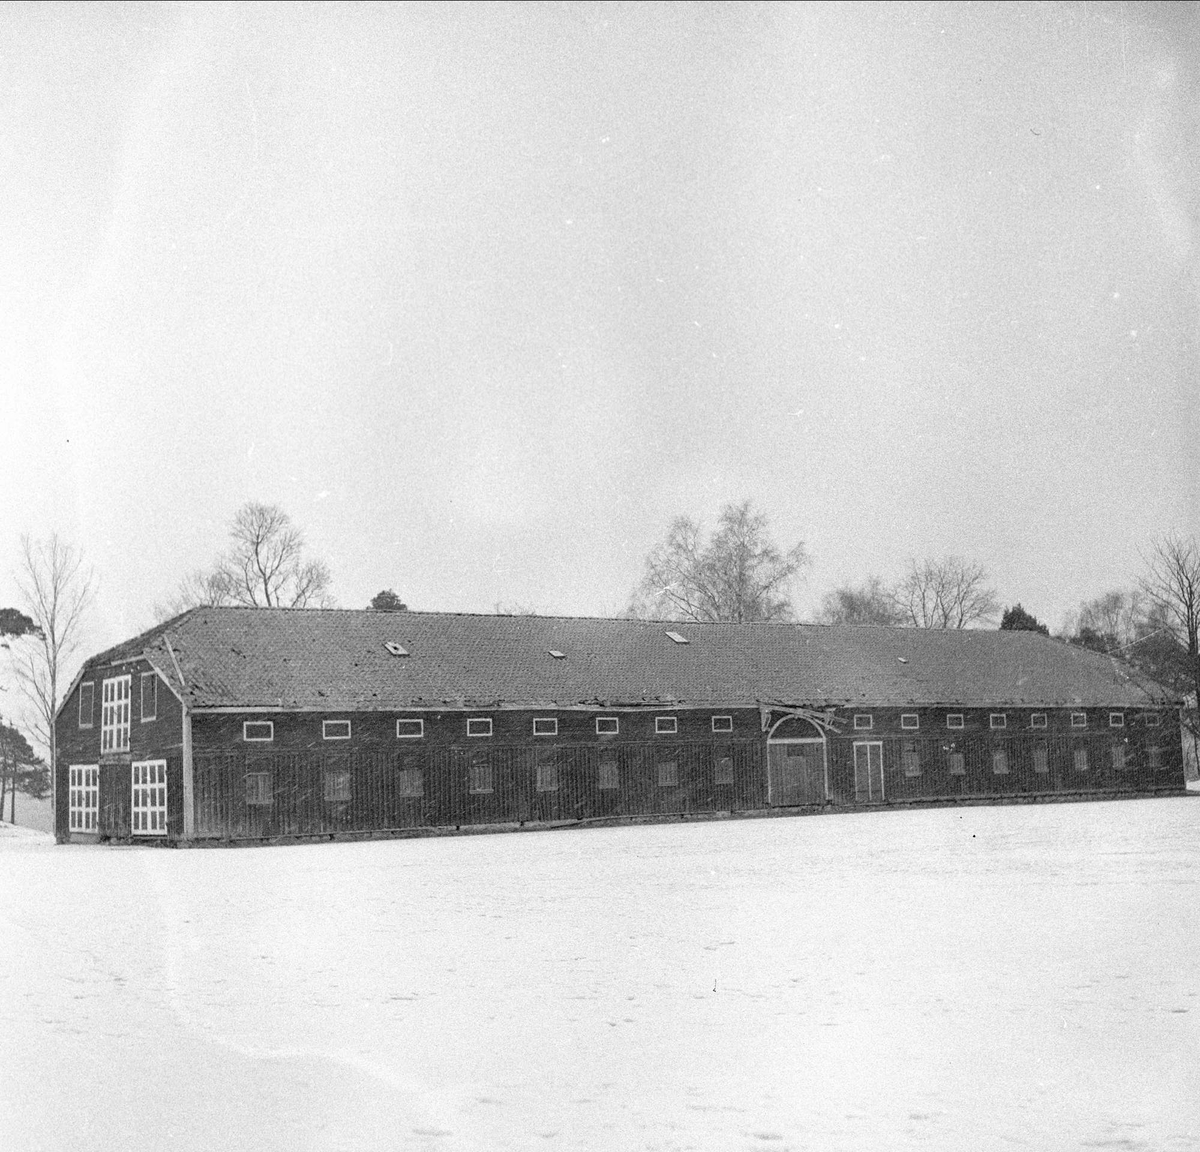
(951, 980)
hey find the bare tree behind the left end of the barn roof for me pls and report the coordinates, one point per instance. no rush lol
(265, 568)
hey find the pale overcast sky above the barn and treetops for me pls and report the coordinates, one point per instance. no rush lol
(485, 296)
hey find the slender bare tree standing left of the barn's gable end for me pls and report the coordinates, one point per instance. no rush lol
(58, 592)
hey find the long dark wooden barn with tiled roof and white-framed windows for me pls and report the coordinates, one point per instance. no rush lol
(248, 725)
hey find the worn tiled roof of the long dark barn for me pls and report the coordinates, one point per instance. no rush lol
(337, 661)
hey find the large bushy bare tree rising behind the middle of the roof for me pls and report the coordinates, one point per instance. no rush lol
(739, 575)
